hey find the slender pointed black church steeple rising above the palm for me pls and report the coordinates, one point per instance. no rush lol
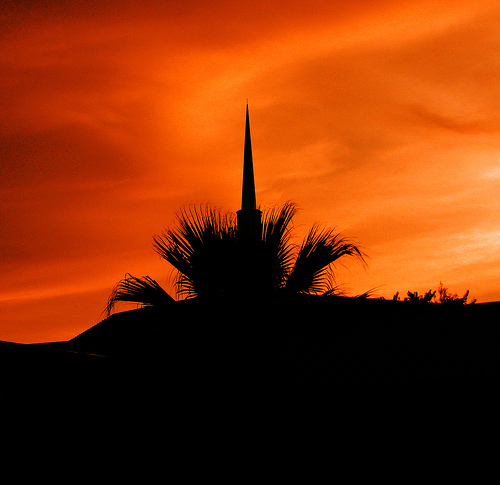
(249, 216)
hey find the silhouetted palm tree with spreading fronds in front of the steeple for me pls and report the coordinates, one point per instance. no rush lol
(213, 260)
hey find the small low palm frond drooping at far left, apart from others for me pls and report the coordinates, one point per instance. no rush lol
(143, 290)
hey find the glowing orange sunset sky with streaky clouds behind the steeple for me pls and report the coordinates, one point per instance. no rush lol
(380, 118)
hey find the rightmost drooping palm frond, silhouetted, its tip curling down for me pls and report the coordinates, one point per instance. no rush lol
(319, 251)
